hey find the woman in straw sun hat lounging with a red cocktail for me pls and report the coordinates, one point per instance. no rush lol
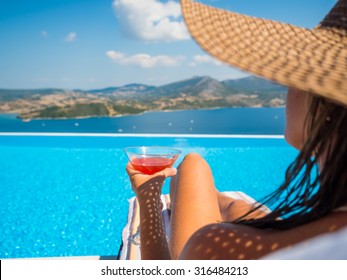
(313, 64)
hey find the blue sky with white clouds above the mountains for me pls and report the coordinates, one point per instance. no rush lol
(94, 44)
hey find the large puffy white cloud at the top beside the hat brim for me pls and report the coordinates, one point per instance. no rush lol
(151, 20)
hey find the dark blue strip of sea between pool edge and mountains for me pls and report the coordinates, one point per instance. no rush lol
(213, 121)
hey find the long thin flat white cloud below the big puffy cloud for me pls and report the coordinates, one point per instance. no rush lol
(144, 60)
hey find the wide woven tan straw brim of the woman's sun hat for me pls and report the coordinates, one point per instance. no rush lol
(310, 60)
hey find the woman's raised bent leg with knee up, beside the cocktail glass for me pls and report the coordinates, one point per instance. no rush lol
(194, 201)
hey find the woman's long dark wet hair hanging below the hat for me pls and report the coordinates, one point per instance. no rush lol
(307, 192)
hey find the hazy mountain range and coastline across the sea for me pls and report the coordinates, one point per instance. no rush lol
(195, 93)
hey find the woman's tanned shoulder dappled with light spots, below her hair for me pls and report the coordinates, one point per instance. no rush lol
(233, 241)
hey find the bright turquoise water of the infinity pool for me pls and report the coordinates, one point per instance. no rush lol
(68, 195)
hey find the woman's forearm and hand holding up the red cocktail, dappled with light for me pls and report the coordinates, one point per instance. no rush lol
(154, 245)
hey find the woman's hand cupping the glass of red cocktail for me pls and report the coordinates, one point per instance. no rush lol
(140, 181)
